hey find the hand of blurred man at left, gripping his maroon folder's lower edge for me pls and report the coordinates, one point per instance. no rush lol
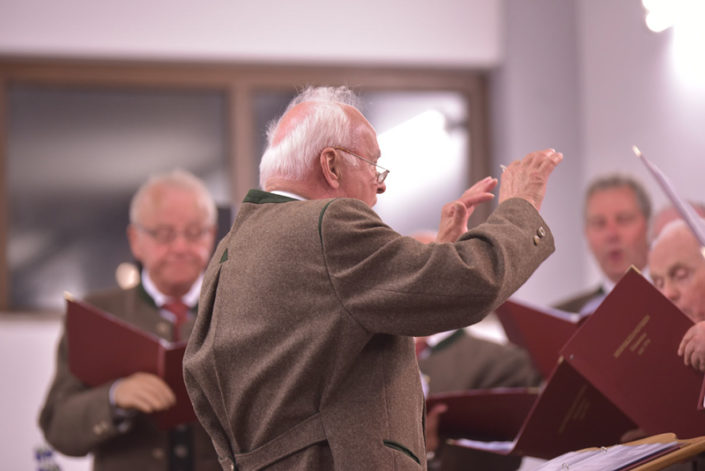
(145, 392)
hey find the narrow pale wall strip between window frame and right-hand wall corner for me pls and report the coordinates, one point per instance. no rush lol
(535, 105)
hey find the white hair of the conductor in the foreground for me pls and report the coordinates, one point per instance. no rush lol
(325, 125)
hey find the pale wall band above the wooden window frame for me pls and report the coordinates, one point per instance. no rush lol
(448, 32)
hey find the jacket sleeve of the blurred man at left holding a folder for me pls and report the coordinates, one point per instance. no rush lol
(75, 419)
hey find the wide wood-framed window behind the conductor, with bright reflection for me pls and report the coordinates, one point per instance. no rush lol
(80, 137)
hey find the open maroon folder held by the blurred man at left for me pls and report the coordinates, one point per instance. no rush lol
(103, 348)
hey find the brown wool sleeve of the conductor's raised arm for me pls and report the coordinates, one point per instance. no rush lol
(396, 285)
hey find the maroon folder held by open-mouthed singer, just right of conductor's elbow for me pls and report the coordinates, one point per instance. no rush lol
(540, 331)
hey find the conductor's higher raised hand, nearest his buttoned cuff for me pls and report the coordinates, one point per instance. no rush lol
(527, 178)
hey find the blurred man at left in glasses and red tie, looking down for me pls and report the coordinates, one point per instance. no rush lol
(171, 233)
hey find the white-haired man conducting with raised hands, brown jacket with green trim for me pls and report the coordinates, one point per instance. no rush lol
(302, 357)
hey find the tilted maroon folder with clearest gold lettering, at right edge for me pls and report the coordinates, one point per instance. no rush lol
(628, 350)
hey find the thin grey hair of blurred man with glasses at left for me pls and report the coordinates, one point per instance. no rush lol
(176, 179)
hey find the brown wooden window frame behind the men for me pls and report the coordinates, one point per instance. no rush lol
(238, 81)
